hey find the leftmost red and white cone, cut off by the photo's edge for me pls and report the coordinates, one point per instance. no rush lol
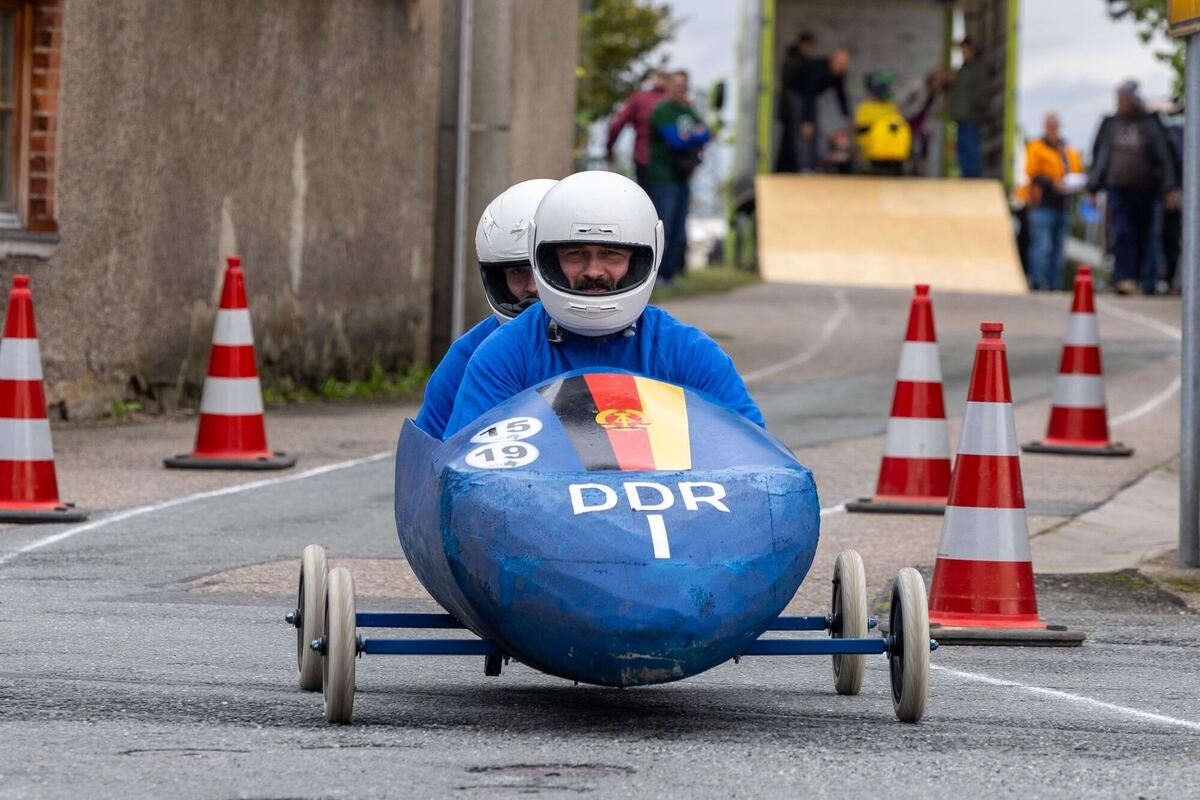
(29, 486)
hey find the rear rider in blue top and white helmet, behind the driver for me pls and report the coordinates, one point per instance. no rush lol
(508, 282)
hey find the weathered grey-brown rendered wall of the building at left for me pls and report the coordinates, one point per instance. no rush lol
(305, 136)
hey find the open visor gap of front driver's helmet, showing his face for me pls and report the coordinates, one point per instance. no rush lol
(595, 268)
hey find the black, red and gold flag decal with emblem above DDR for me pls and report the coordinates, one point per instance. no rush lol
(623, 423)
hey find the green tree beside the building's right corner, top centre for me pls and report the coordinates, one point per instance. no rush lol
(617, 39)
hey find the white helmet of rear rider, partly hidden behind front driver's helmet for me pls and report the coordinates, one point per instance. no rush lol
(501, 244)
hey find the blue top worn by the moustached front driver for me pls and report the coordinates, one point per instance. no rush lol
(521, 356)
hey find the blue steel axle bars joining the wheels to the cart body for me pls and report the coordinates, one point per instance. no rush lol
(811, 647)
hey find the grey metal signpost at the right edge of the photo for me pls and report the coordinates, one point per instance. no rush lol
(1190, 423)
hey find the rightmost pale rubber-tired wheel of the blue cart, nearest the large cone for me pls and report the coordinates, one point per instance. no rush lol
(909, 660)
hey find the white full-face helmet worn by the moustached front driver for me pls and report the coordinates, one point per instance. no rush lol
(596, 208)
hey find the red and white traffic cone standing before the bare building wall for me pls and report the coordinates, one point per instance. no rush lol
(232, 434)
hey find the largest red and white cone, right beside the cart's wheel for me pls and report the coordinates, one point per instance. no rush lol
(983, 581)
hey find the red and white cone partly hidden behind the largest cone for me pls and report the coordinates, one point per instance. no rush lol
(915, 476)
